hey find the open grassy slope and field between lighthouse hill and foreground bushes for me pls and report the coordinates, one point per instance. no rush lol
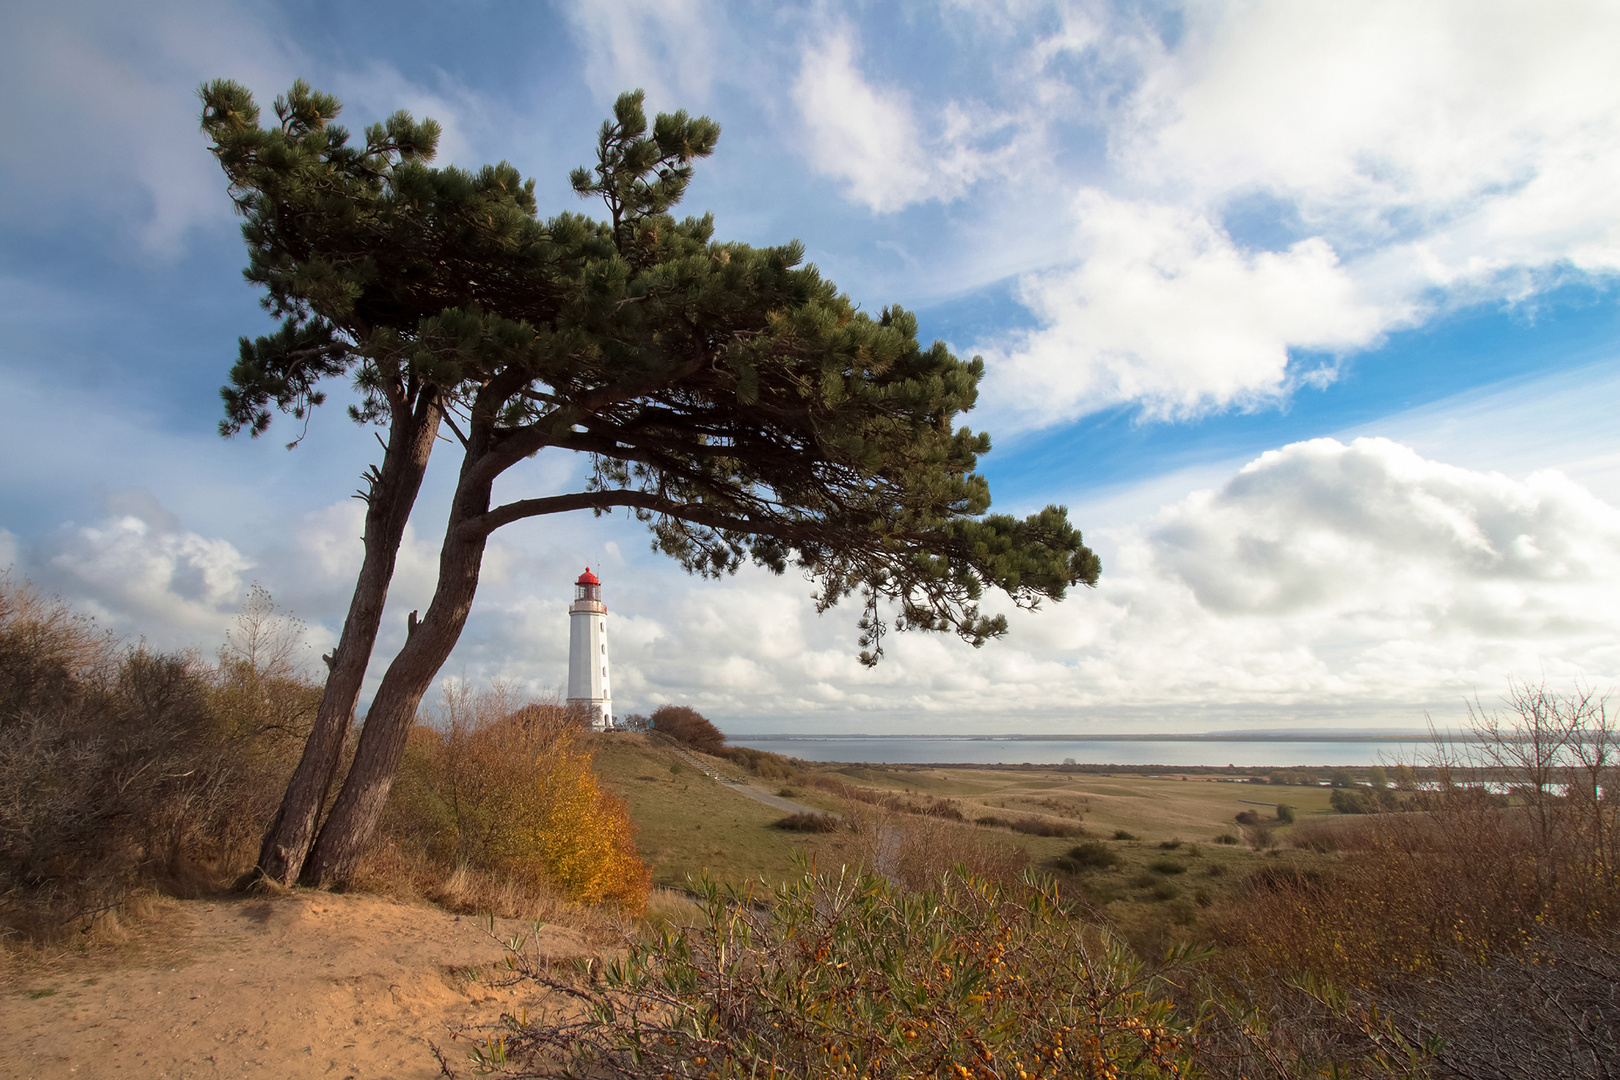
(1156, 853)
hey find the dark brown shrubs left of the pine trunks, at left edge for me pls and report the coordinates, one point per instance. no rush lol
(124, 770)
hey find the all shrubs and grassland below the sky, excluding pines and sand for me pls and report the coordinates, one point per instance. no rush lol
(1439, 921)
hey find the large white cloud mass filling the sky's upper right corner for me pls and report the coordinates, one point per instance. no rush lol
(1297, 179)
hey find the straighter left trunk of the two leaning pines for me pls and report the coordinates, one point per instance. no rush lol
(390, 503)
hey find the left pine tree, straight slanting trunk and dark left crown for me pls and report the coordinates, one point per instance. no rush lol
(373, 263)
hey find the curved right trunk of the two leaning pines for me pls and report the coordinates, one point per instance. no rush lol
(393, 712)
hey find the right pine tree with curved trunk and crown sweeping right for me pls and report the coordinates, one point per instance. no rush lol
(727, 396)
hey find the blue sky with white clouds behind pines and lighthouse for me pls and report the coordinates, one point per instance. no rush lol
(1307, 312)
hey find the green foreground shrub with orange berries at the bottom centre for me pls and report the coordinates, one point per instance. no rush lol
(848, 976)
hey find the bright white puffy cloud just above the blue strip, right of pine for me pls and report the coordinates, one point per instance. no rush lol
(1167, 312)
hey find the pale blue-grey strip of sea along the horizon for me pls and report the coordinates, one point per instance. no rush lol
(1167, 750)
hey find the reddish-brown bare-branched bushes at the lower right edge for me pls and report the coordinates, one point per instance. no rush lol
(1481, 916)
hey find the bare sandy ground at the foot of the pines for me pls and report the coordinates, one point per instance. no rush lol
(301, 985)
